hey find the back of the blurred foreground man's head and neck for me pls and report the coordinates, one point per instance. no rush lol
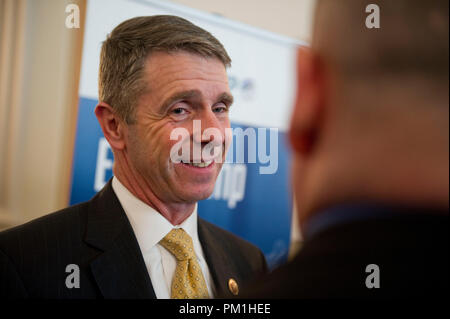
(371, 116)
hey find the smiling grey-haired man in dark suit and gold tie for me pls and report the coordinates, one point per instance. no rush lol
(162, 83)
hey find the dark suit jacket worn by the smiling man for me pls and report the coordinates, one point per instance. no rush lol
(97, 236)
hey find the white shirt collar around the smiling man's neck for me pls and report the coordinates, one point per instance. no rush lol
(148, 224)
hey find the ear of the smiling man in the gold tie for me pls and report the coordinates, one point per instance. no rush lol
(112, 126)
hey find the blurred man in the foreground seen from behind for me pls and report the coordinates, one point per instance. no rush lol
(371, 154)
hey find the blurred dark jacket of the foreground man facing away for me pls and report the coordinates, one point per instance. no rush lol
(410, 249)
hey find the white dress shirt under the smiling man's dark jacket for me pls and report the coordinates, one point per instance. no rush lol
(150, 227)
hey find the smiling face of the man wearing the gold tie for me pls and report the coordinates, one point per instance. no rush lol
(181, 88)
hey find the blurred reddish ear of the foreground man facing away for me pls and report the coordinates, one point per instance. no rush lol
(308, 109)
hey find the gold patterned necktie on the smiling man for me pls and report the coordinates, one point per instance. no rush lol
(188, 281)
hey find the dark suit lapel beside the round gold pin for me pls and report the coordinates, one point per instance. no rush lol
(216, 259)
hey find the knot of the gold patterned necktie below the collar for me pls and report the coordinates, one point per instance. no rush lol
(179, 243)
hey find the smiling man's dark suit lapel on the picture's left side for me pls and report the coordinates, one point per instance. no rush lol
(119, 270)
